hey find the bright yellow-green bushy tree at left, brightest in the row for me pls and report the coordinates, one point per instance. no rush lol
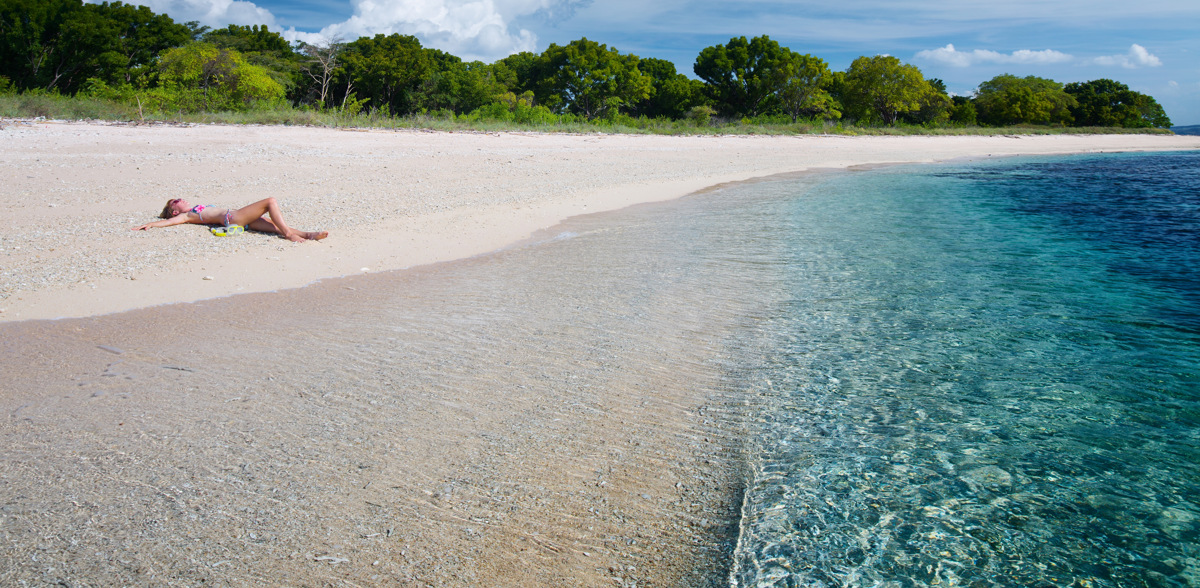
(205, 77)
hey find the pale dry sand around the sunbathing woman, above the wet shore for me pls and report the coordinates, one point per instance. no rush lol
(392, 200)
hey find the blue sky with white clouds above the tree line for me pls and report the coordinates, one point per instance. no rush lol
(1153, 46)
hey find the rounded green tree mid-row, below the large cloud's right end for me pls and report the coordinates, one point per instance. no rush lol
(589, 79)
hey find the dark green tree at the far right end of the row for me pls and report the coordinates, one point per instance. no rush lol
(1105, 103)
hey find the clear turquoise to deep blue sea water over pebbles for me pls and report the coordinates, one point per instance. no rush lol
(981, 374)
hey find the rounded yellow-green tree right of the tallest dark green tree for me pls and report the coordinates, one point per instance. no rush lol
(883, 89)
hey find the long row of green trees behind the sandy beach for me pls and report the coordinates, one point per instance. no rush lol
(131, 55)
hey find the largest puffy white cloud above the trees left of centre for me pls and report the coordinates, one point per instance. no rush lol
(470, 29)
